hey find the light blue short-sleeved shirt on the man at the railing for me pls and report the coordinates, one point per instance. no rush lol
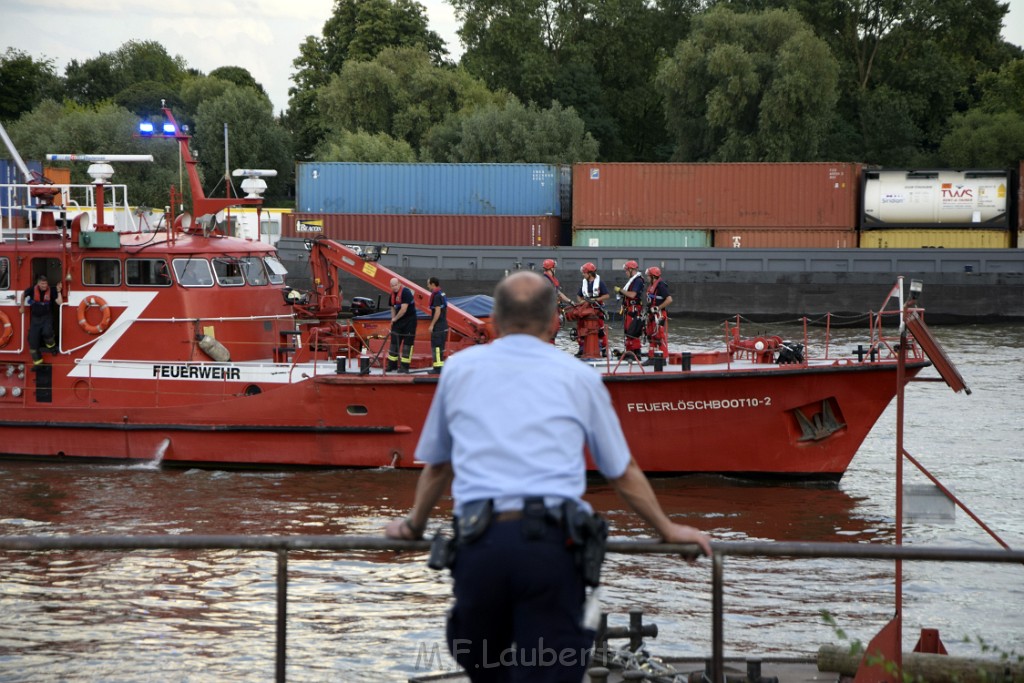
(502, 443)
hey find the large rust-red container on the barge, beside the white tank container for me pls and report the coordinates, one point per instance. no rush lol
(812, 196)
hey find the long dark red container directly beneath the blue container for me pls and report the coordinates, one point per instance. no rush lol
(426, 230)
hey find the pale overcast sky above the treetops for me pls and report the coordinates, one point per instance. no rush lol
(263, 36)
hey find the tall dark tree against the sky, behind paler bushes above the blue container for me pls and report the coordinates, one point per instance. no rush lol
(358, 30)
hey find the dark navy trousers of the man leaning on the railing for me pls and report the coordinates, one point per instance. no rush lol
(519, 608)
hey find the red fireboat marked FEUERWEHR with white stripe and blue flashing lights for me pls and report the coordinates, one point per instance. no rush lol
(183, 345)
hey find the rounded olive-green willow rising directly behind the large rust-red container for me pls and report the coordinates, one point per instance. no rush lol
(749, 88)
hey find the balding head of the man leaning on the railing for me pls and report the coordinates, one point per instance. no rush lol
(525, 304)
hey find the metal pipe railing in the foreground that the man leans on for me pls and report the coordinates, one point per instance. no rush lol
(282, 546)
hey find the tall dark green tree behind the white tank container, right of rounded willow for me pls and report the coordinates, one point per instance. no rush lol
(926, 55)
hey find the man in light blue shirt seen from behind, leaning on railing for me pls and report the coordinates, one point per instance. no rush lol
(509, 422)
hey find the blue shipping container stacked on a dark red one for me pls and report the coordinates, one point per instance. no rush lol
(470, 190)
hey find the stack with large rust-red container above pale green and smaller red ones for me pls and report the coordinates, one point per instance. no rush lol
(786, 206)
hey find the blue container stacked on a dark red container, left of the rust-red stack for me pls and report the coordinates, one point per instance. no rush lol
(508, 205)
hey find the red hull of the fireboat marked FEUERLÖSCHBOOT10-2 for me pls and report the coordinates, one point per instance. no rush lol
(804, 423)
